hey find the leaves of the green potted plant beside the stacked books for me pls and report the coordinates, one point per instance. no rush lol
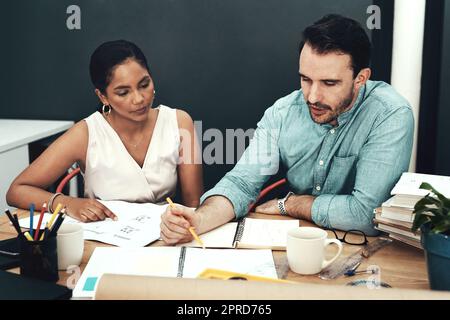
(434, 208)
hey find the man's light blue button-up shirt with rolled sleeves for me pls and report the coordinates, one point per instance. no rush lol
(350, 168)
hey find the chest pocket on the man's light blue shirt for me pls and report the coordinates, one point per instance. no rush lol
(341, 176)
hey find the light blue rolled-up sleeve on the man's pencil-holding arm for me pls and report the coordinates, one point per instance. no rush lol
(259, 161)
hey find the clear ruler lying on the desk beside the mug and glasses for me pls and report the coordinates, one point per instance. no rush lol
(344, 264)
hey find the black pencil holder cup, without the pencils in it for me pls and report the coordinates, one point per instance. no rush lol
(39, 259)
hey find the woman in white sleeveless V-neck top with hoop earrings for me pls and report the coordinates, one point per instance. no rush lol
(129, 151)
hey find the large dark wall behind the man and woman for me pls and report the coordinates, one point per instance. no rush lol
(223, 61)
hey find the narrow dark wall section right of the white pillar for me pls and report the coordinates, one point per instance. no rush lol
(434, 138)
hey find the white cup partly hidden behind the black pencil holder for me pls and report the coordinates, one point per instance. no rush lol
(70, 244)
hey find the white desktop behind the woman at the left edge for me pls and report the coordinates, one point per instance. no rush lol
(15, 133)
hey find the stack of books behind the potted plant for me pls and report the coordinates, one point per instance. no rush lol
(395, 216)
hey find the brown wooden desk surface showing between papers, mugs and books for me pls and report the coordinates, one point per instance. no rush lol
(401, 266)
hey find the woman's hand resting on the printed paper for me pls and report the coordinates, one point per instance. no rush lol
(88, 210)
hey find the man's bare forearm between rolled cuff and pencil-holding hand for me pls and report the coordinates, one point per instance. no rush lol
(214, 212)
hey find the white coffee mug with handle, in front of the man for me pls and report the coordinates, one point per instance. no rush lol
(306, 249)
